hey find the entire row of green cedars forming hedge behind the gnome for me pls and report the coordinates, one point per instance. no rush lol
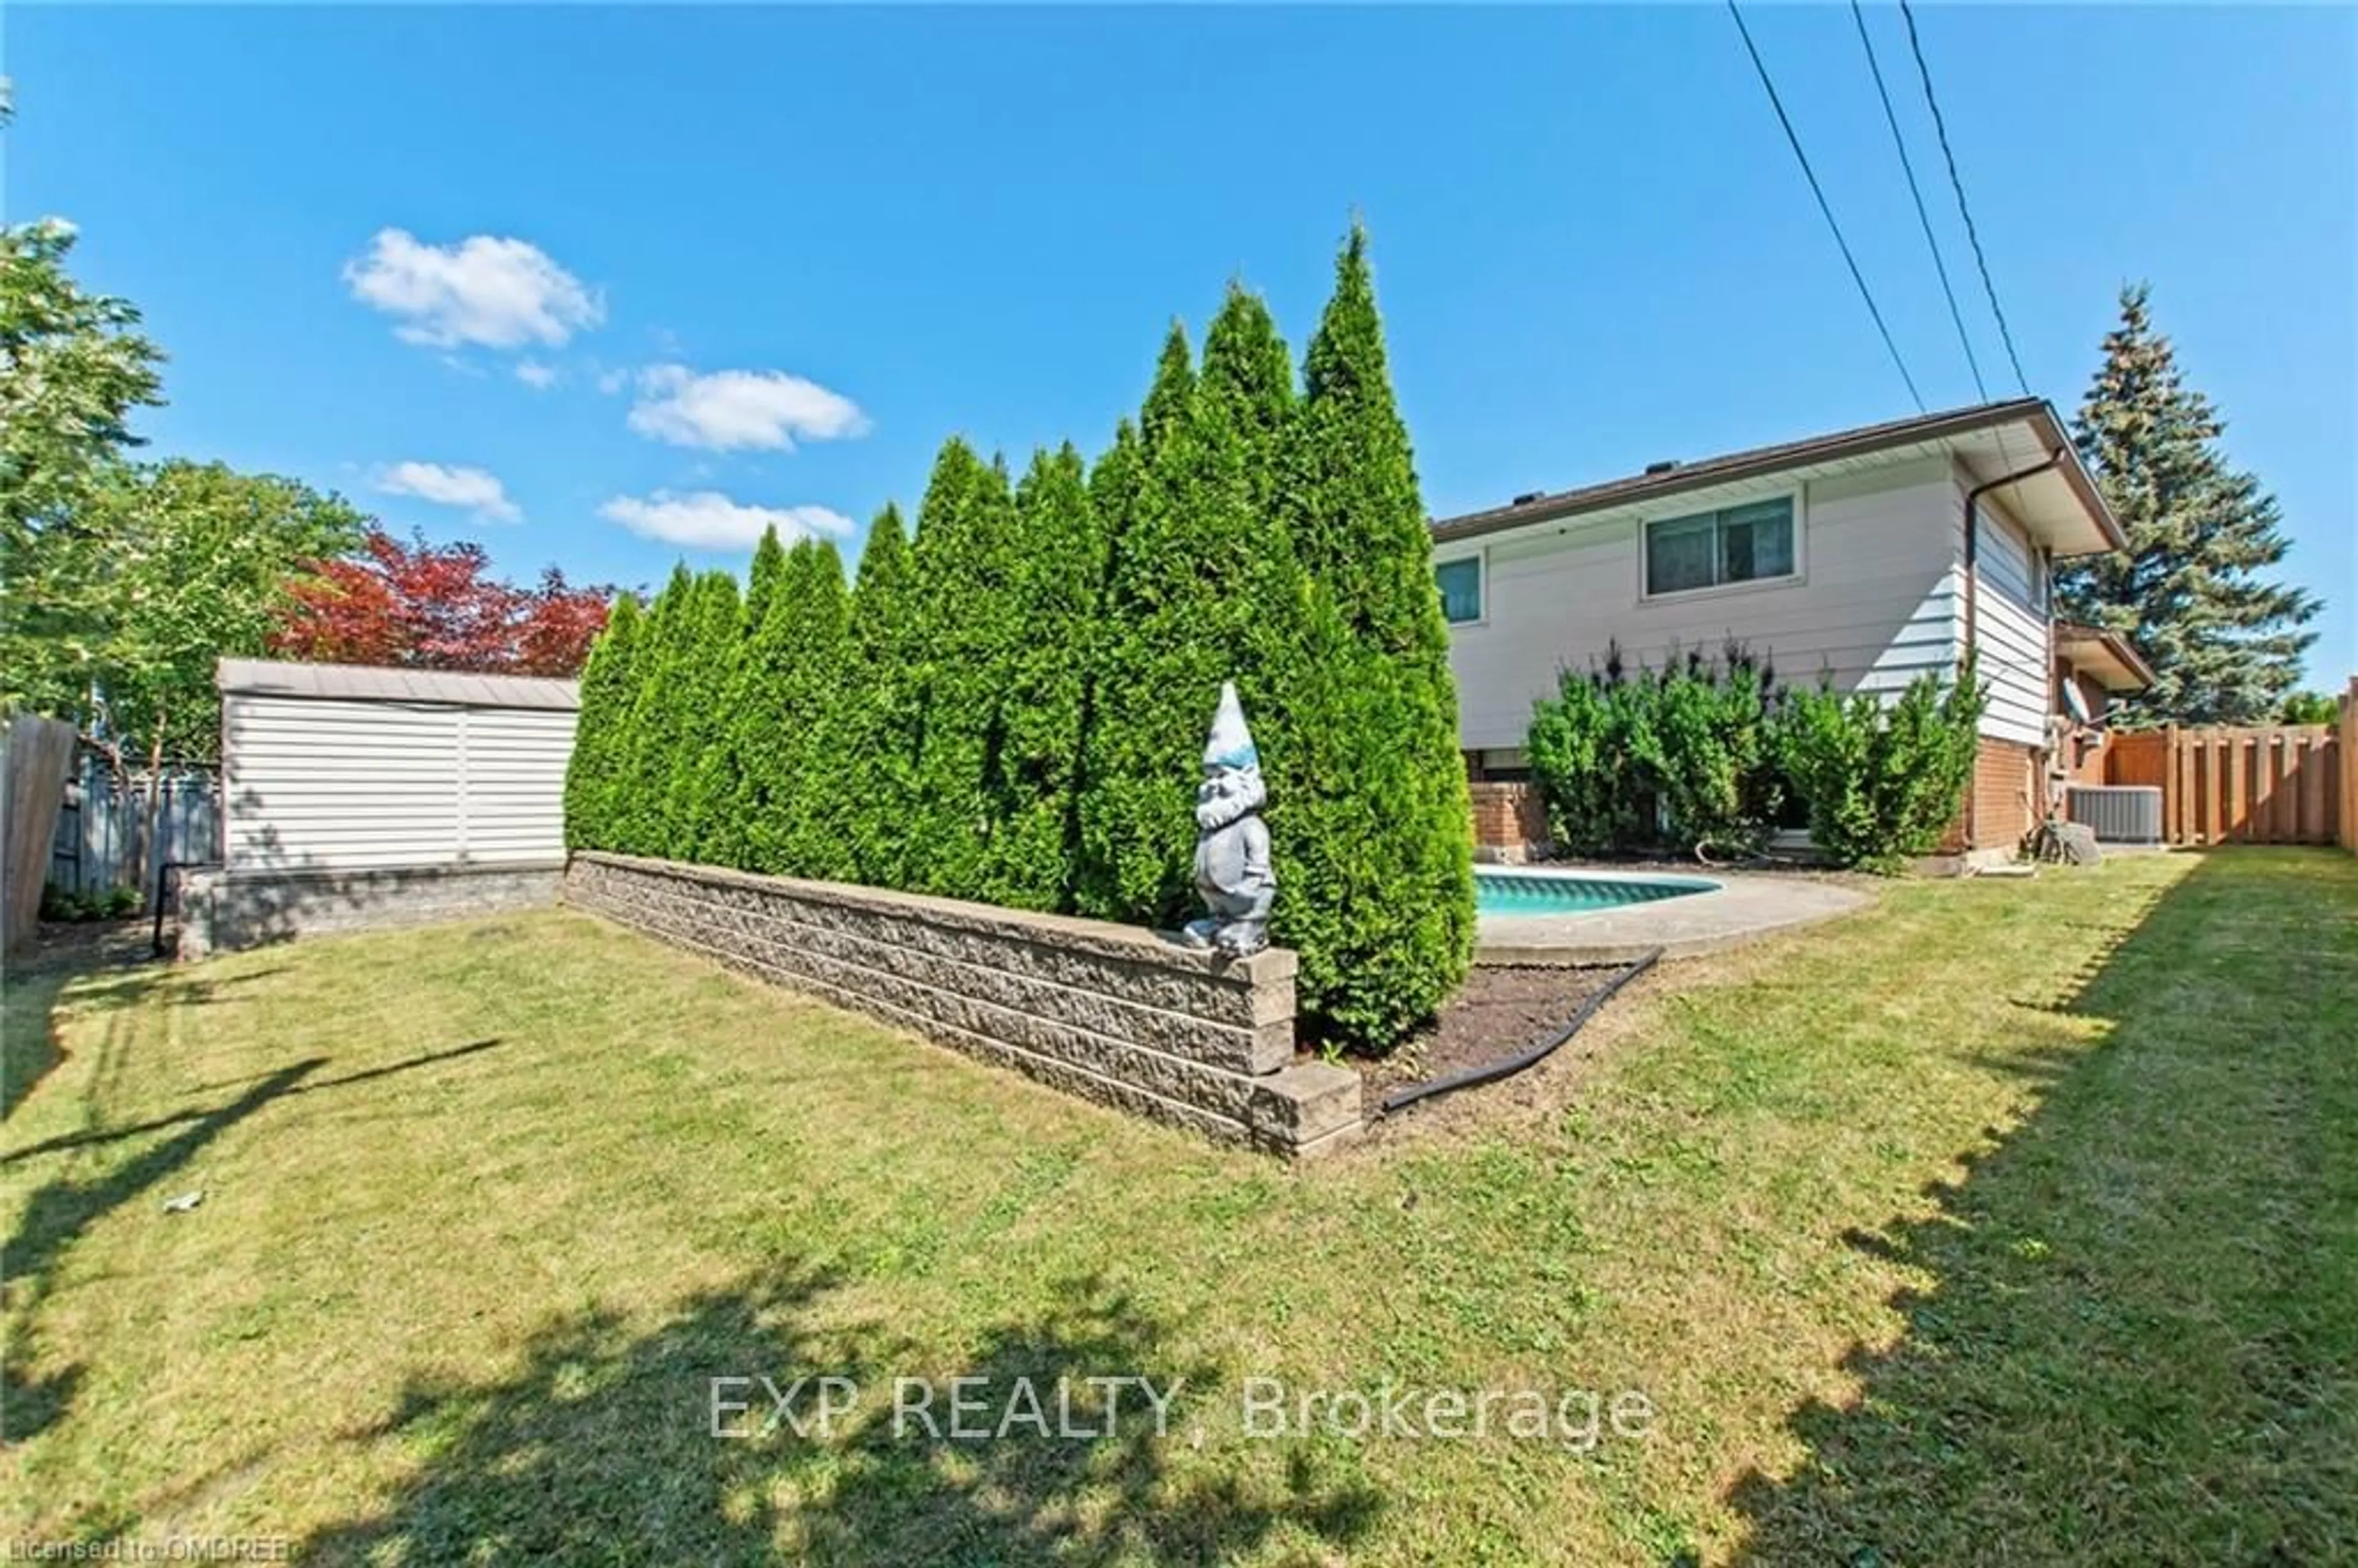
(1013, 706)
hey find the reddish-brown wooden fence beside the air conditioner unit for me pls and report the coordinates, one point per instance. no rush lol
(2244, 786)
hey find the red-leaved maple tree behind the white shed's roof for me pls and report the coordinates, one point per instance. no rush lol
(433, 607)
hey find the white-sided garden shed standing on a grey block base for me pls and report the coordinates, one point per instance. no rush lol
(360, 796)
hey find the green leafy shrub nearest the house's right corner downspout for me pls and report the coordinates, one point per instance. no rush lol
(1883, 784)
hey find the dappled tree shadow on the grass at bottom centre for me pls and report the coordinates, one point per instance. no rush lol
(607, 1447)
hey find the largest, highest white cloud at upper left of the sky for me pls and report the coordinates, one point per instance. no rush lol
(487, 291)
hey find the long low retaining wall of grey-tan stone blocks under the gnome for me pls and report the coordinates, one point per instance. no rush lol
(1109, 1013)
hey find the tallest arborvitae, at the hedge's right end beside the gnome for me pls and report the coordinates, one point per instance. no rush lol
(1378, 834)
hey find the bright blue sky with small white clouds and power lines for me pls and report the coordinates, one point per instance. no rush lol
(1590, 239)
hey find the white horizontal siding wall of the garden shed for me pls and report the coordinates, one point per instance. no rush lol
(317, 784)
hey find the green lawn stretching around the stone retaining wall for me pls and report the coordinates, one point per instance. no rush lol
(2008, 1223)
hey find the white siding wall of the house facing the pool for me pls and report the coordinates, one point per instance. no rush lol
(1876, 605)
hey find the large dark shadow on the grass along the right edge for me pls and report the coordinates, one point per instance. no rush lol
(2138, 1326)
